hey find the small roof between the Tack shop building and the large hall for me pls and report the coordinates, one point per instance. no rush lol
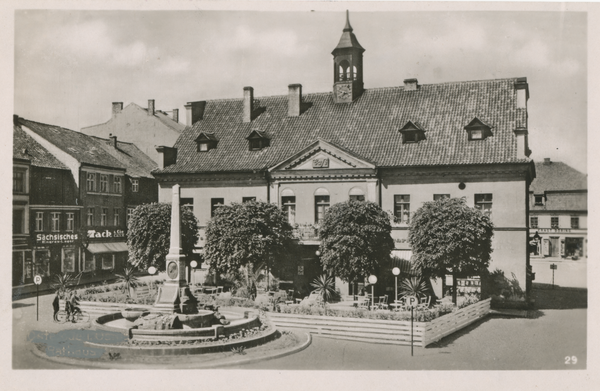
(138, 163)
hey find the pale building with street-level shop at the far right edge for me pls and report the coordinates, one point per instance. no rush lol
(558, 211)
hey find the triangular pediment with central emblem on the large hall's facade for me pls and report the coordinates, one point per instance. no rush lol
(323, 155)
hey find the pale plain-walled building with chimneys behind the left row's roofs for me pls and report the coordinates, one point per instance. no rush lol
(145, 127)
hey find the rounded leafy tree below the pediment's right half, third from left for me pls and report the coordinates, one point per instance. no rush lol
(355, 240)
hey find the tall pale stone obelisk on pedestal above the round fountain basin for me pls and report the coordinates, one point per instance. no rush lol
(174, 295)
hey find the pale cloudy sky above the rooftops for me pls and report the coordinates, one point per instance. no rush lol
(70, 65)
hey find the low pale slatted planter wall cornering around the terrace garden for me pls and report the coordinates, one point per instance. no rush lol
(385, 331)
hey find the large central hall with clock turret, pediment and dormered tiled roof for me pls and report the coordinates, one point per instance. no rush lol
(396, 146)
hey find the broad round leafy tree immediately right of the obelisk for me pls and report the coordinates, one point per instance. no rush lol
(247, 234)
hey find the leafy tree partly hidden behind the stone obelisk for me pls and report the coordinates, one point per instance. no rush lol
(149, 234)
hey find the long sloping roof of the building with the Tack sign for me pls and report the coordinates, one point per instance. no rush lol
(78, 145)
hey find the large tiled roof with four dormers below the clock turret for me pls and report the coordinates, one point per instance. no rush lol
(369, 127)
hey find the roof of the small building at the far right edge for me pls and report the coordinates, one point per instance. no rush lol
(557, 176)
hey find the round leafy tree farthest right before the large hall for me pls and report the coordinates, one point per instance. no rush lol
(449, 237)
